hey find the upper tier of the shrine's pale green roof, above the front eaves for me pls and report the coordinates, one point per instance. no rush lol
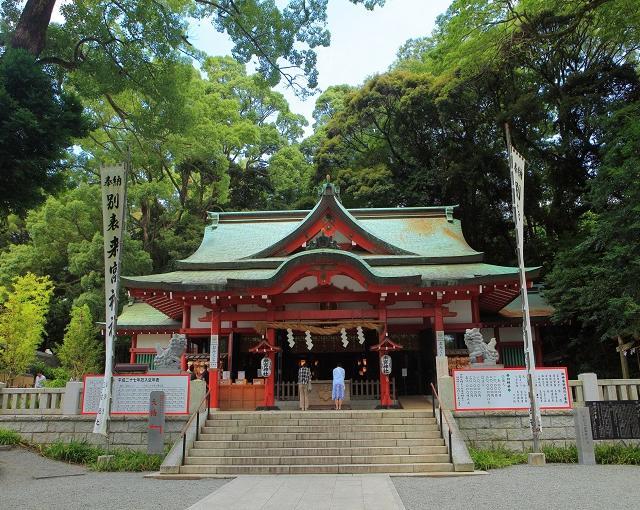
(237, 239)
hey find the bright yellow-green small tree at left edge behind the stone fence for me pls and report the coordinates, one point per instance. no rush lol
(22, 323)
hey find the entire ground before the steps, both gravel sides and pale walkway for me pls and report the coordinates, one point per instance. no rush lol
(556, 486)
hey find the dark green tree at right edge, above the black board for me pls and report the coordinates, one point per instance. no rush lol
(594, 280)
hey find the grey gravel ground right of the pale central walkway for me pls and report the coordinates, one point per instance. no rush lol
(555, 486)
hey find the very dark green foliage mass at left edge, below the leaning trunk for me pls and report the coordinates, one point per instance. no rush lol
(38, 121)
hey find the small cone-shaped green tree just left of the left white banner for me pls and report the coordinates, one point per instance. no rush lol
(82, 349)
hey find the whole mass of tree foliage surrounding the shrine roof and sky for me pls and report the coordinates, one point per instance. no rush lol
(122, 80)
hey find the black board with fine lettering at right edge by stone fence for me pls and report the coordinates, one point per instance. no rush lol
(615, 419)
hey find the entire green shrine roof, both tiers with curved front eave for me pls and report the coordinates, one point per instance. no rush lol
(411, 247)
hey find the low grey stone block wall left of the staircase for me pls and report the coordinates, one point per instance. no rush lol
(125, 431)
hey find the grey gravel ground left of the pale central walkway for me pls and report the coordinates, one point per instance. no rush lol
(89, 490)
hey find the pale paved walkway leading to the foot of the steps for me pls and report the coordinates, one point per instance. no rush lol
(305, 492)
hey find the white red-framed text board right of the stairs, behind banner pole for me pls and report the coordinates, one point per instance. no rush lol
(507, 389)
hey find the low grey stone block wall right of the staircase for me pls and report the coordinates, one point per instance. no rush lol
(510, 429)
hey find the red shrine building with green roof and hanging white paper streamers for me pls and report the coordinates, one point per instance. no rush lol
(325, 286)
